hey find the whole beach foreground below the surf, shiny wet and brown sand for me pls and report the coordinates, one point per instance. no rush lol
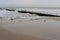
(30, 30)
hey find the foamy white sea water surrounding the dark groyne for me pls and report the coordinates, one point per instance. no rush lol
(26, 16)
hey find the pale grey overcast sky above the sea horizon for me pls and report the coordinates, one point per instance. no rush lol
(29, 3)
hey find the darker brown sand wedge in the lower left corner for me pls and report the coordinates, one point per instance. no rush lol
(7, 35)
